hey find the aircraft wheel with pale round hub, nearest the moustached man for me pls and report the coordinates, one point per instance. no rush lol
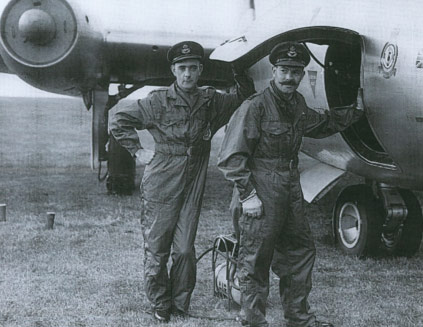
(357, 221)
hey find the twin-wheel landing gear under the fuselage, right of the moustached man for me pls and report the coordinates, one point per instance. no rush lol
(381, 220)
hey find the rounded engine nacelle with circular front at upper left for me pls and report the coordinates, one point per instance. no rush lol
(52, 45)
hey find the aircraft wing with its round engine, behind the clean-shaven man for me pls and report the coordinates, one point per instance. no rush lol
(63, 47)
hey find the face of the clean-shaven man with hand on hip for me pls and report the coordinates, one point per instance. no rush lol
(187, 73)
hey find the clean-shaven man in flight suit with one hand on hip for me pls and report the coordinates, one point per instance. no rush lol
(182, 120)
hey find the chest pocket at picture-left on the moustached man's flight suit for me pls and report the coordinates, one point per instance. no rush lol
(275, 139)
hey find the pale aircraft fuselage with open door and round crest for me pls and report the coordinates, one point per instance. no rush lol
(377, 46)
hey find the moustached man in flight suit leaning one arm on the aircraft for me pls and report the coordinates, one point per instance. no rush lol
(260, 155)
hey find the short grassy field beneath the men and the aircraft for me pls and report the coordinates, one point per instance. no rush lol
(87, 271)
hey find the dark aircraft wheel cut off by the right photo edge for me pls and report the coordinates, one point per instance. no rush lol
(411, 236)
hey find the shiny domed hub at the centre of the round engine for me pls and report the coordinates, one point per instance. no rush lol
(37, 26)
